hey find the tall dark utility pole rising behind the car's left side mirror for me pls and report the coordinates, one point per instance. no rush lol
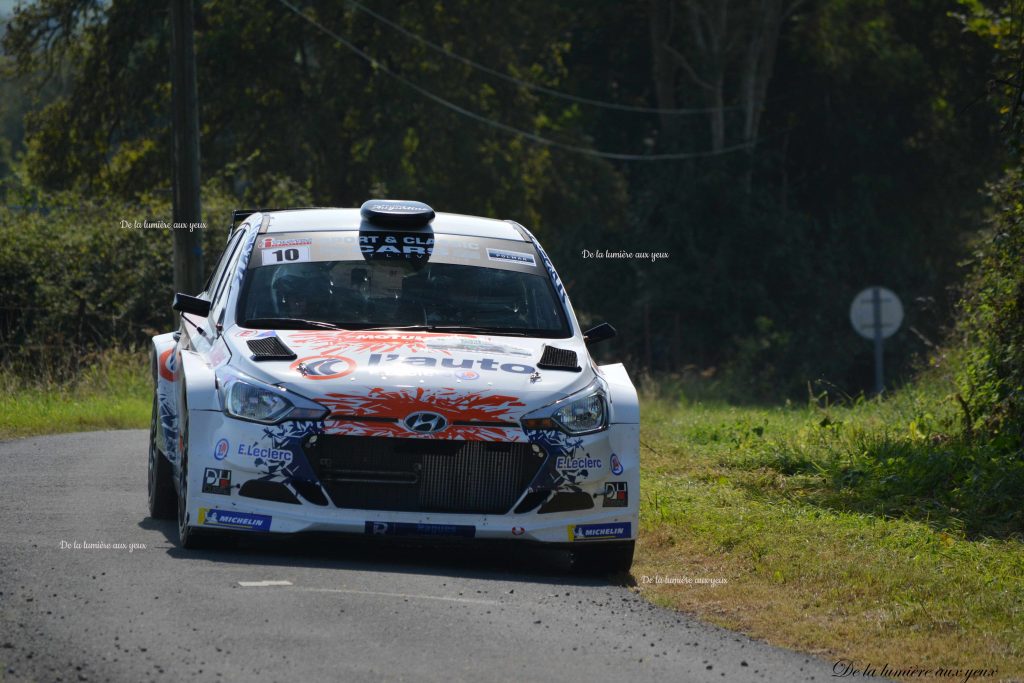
(185, 104)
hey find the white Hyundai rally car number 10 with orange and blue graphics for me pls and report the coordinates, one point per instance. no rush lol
(390, 371)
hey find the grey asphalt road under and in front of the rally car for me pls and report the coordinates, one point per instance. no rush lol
(351, 612)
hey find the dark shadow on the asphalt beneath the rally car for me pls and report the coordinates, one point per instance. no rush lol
(506, 562)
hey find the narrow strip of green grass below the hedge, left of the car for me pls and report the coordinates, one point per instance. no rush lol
(111, 392)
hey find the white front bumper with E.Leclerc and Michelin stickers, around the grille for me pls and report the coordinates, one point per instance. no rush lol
(246, 452)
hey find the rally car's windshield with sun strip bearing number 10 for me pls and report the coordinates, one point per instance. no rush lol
(471, 286)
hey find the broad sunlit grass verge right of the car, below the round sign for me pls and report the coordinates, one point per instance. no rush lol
(869, 532)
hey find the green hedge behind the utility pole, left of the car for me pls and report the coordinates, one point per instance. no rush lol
(73, 281)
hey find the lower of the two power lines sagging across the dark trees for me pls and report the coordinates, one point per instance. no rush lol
(499, 125)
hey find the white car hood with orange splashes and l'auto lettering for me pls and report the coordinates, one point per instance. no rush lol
(401, 372)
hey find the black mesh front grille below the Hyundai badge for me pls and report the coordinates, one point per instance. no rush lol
(422, 475)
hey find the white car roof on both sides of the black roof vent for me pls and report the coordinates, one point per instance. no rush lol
(309, 221)
